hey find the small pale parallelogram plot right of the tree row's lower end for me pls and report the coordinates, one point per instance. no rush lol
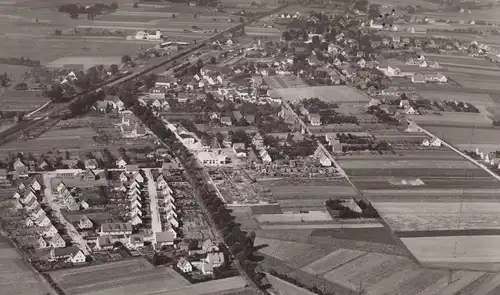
(332, 260)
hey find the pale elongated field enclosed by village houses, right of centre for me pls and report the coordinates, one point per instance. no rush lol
(339, 94)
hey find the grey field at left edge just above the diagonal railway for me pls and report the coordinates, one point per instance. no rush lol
(16, 100)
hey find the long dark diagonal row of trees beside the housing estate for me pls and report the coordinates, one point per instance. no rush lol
(239, 242)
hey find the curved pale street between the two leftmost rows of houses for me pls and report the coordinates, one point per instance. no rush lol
(56, 209)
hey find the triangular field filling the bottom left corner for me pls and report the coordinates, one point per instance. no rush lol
(17, 277)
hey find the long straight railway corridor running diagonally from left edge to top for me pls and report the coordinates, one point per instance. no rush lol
(31, 122)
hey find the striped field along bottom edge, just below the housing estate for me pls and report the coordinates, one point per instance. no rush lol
(135, 277)
